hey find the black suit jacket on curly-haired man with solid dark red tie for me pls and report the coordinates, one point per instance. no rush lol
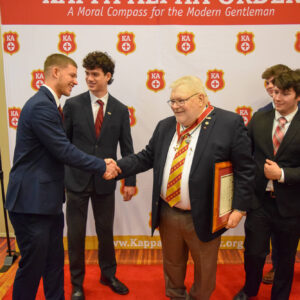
(80, 129)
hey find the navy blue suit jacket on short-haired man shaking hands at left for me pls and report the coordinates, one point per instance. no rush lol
(36, 183)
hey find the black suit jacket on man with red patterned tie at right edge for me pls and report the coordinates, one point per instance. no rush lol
(287, 157)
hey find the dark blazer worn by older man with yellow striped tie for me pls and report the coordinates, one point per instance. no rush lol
(224, 138)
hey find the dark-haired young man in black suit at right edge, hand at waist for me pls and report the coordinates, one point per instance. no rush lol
(275, 136)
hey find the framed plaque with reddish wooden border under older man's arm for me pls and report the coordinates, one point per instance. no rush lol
(222, 194)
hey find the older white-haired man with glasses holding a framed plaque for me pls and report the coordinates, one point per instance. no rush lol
(182, 152)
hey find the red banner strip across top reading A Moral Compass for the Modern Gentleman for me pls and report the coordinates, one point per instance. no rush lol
(150, 12)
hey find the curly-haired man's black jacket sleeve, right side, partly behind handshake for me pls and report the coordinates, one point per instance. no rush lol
(126, 144)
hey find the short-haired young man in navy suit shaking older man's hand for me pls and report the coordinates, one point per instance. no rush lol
(35, 192)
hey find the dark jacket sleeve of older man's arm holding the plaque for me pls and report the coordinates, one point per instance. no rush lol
(243, 167)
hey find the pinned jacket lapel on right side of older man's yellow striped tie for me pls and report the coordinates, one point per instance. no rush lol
(206, 130)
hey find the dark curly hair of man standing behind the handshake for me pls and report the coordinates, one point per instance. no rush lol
(102, 60)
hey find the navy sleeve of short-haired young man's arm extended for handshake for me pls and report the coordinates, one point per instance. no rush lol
(47, 126)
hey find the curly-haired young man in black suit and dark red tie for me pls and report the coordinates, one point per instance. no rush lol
(96, 123)
